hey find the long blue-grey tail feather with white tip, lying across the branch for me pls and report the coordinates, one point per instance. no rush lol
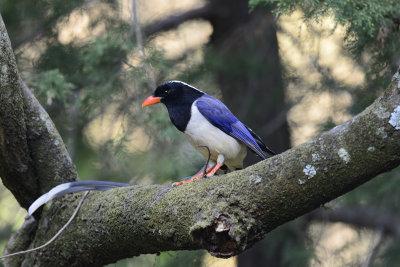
(73, 187)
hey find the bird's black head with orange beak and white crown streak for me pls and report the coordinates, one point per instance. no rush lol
(173, 93)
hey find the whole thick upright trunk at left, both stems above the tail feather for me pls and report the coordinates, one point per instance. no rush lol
(32, 154)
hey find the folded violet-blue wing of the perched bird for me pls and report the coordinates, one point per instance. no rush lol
(221, 117)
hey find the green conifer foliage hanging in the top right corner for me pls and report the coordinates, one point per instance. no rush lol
(372, 34)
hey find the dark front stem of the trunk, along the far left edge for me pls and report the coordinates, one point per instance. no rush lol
(16, 168)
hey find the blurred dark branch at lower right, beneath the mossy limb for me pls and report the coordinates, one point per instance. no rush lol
(360, 217)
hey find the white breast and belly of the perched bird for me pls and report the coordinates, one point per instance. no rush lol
(200, 132)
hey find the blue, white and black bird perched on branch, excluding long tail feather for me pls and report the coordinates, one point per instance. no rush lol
(210, 127)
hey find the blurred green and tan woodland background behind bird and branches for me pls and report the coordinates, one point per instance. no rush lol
(288, 74)
